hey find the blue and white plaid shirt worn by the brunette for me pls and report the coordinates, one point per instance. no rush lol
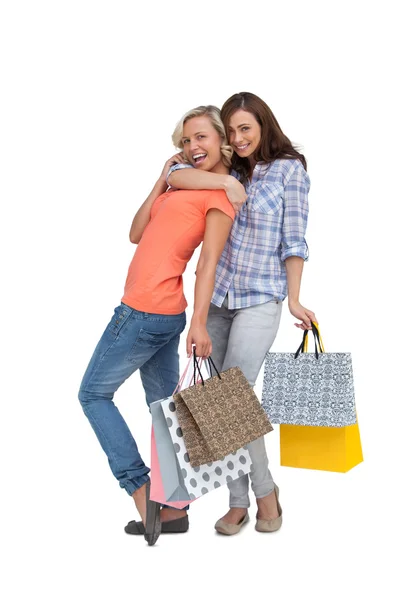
(269, 228)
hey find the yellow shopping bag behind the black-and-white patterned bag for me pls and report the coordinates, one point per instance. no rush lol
(320, 448)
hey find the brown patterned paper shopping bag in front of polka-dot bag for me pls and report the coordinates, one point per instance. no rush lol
(219, 415)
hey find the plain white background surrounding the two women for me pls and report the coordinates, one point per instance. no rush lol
(91, 92)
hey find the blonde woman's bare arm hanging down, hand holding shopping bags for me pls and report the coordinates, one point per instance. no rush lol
(218, 226)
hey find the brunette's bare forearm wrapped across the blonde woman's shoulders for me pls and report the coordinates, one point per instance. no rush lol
(196, 179)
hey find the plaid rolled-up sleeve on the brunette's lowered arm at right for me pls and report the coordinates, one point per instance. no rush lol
(295, 215)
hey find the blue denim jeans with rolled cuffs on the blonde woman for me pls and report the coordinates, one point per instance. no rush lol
(132, 340)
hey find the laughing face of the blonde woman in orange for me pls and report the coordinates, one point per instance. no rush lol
(202, 145)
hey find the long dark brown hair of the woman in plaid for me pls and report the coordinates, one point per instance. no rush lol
(273, 144)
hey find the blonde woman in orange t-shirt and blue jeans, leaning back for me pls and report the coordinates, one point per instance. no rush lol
(144, 332)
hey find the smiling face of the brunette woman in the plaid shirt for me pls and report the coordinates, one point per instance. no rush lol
(244, 133)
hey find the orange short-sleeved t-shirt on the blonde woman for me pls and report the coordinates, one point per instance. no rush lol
(177, 224)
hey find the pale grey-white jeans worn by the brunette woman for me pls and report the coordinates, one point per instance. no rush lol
(241, 338)
